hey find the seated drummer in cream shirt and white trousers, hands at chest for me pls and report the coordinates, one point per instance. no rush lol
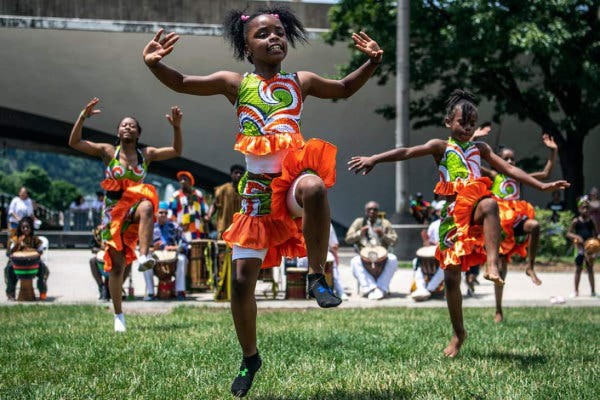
(375, 266)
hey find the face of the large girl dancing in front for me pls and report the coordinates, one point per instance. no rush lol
(265, 40)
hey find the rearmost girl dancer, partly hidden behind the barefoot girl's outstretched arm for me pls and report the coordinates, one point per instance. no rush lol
(520, 230)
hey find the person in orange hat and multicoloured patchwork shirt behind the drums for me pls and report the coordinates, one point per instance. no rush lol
(188, 207)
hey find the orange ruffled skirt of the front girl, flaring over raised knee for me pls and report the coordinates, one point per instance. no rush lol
(275, 229)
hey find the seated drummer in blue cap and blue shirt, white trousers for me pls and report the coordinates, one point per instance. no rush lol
(168, 236)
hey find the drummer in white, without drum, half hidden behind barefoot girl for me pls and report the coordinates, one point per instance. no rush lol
(424, 289)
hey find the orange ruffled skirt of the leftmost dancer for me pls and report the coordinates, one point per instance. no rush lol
(123, 234)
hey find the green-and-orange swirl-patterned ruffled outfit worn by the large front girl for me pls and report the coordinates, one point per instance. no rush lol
(269, 136)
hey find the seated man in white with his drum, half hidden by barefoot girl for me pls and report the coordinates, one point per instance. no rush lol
(428, 276)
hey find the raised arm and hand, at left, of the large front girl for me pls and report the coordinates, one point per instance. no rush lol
(222, 82)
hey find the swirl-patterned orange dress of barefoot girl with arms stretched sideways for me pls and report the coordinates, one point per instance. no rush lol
(461, 242)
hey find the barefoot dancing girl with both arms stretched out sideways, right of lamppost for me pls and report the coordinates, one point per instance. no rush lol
(470, 222)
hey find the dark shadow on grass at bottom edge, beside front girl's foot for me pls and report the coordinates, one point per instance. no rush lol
(345, 395)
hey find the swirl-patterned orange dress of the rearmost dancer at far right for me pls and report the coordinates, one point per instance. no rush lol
(513, 212)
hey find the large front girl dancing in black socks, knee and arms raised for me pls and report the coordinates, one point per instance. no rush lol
(285, 211)
